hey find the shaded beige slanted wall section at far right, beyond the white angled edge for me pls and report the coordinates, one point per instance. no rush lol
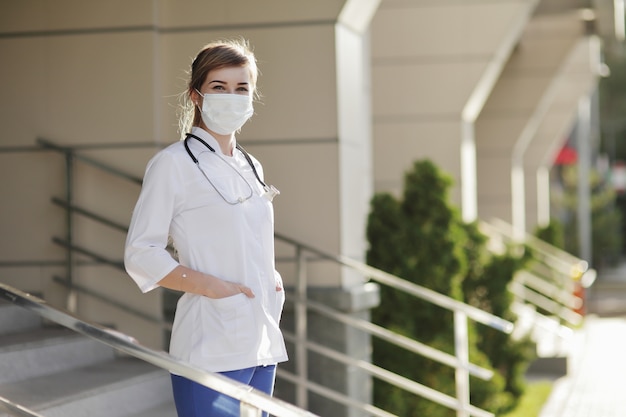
(530, 113)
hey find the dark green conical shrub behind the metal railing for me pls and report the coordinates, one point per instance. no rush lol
(422, 239)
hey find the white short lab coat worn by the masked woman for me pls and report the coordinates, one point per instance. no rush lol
(234, 242)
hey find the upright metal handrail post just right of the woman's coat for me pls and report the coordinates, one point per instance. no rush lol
(300, 314)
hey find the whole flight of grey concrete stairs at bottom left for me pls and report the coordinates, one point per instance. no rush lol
(57, 372)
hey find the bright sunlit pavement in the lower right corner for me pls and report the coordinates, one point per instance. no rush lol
(596, 382)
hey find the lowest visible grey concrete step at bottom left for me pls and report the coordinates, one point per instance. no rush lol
(121, 387)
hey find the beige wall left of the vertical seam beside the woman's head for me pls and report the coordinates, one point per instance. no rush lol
(65, 79)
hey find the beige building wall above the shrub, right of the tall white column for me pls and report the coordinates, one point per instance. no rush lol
(450, 73)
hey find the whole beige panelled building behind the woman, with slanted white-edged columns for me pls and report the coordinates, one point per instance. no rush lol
(354, 91)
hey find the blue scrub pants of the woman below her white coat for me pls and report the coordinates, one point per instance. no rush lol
(195, 400)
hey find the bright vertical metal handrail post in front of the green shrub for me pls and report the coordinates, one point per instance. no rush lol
(461, 349)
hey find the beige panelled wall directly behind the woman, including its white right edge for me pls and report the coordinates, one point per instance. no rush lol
(93, 73)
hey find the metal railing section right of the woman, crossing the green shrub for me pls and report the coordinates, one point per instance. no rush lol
(459, 361)
